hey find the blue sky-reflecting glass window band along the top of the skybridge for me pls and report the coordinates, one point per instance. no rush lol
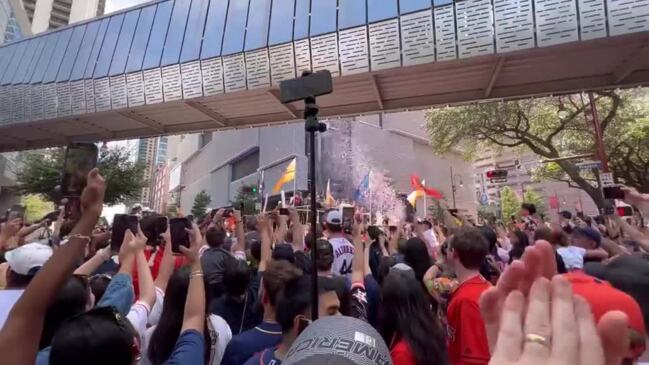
(169, 32)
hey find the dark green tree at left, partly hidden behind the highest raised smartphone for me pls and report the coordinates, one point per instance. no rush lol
(40, 174)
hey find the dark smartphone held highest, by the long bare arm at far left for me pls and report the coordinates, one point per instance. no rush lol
(80, 158)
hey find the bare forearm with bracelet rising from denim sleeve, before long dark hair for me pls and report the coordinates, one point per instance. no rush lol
(194, 316)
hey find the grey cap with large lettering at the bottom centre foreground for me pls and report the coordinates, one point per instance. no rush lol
(338, 340)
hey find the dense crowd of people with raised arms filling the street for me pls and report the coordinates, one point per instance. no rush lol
(436, 291)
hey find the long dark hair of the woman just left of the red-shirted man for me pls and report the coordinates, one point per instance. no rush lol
(408, 314)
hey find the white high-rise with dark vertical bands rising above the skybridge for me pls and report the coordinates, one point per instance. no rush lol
(51, 14)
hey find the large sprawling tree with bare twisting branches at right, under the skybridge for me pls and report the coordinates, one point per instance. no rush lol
(554, 127)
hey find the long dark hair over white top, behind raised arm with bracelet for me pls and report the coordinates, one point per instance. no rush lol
(163, 339)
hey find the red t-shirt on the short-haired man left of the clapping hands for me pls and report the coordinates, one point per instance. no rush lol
(467, 337)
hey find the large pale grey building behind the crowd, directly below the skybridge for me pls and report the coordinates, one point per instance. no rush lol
(392, 146)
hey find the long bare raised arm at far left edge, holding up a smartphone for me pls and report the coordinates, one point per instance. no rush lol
(20, 335)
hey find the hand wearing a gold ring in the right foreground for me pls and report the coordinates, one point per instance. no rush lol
(556, 328)
